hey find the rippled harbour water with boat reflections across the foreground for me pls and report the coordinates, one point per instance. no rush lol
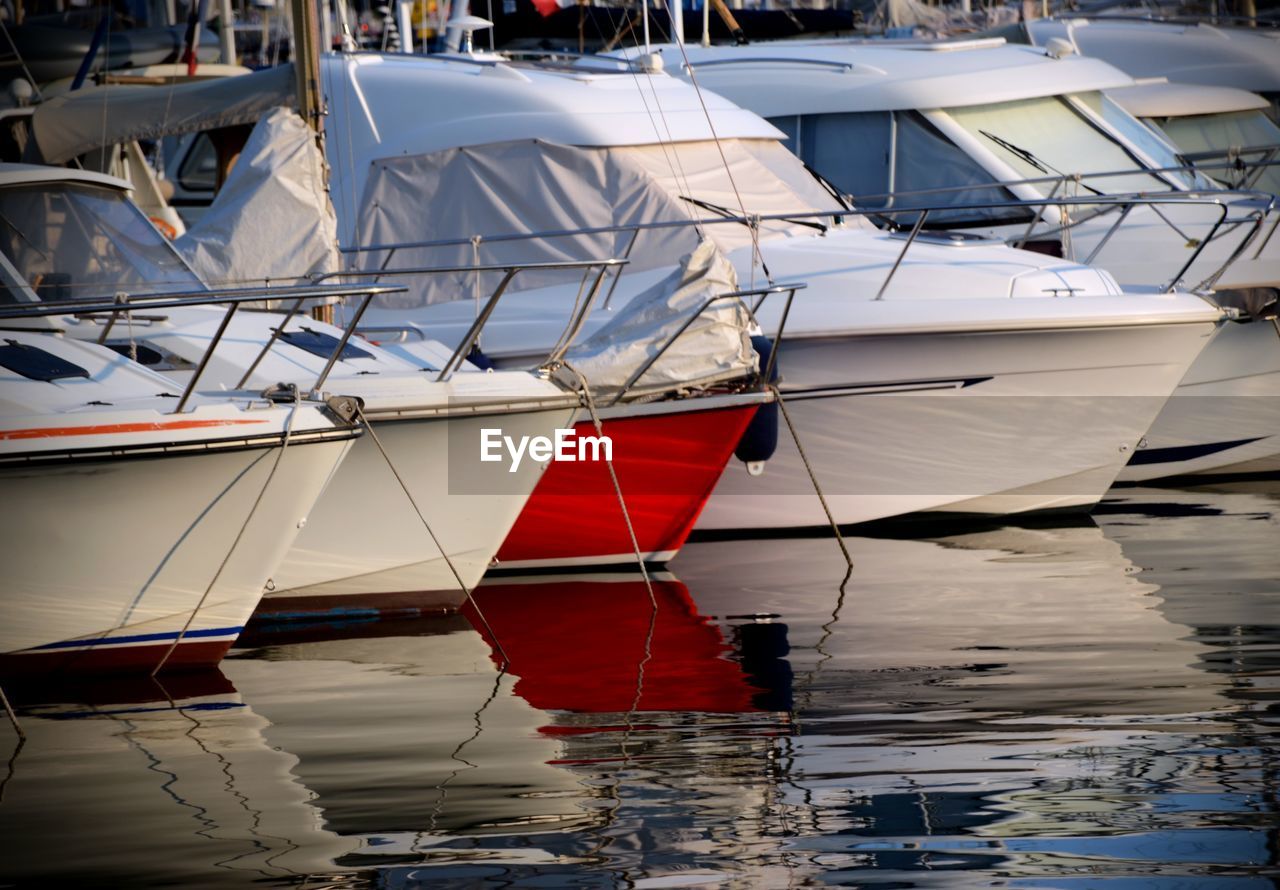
(1028, 708)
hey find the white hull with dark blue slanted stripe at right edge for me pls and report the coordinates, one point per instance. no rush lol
(1226, 416)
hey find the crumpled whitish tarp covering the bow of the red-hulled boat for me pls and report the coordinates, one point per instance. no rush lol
(717, 346)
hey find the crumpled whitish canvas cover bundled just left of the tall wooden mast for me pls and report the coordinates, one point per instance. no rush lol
(272, 220)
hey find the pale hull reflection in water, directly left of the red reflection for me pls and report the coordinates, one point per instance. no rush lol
(409, 737)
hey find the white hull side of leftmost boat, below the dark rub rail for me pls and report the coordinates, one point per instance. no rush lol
(112, 556)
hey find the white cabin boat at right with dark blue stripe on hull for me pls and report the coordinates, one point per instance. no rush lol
(973, 118)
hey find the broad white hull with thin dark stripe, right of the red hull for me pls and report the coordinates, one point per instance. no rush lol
(991, 423)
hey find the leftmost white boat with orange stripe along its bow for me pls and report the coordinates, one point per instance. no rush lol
(135, 536)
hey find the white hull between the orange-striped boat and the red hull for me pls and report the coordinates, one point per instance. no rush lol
(365, 540)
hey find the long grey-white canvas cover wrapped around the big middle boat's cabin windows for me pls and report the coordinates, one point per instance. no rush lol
(525, 188)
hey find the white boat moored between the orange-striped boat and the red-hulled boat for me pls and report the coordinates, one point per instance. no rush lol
(380, 537)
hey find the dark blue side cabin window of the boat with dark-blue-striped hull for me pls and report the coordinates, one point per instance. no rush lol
(881, 158)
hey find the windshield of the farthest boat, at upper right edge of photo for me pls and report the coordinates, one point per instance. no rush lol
(1232, 131)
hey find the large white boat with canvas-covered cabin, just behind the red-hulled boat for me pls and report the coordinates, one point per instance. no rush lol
(963, 377)
